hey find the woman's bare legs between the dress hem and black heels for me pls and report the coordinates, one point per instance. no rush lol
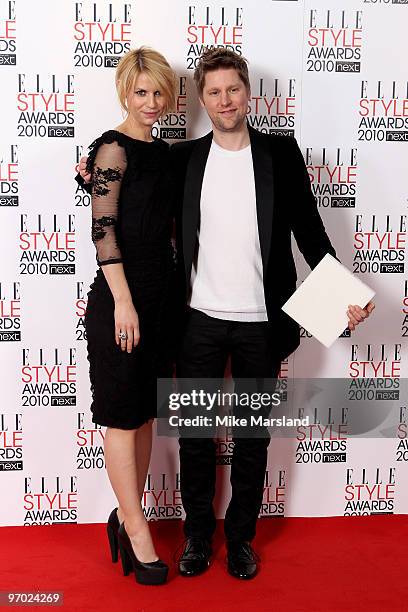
(121, 465)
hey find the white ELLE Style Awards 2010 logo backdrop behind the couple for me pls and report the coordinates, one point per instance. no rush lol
(330, 73)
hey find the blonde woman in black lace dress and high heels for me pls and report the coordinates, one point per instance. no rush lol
(129, 300)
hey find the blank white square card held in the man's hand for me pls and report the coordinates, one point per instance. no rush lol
(320, 303)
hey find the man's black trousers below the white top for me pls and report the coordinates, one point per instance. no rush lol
(207, 344)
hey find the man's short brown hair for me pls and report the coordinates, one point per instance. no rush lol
(213, 59)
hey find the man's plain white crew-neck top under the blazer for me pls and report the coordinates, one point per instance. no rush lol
(227, 278)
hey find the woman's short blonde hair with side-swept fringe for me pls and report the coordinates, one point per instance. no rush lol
(154, 65)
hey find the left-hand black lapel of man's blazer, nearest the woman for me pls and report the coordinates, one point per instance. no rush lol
(191, 199)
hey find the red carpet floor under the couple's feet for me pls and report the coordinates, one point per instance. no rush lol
(313, 564)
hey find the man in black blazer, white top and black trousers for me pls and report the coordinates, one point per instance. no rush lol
(242, 195)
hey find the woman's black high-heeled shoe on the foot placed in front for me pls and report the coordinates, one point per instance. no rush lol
(145, 573)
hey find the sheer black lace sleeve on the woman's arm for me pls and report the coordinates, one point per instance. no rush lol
(108, 167)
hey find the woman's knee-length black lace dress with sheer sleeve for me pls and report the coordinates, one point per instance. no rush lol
(131, 223)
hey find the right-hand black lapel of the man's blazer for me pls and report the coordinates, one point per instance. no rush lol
(264, 189)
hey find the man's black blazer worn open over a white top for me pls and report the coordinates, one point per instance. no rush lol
(285, 203)
